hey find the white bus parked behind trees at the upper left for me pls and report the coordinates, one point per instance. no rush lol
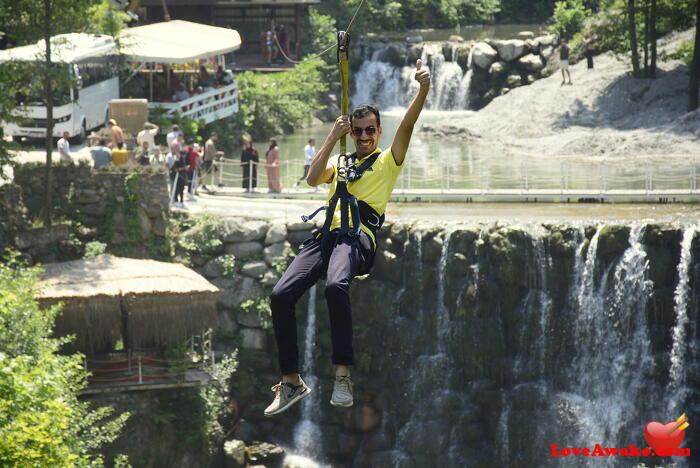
(89, 62)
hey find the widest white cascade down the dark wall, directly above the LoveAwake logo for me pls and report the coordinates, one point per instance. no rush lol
(611, 339)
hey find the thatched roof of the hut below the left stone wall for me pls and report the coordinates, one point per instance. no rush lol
(148, 303)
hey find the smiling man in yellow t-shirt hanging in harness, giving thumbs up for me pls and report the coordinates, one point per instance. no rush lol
(339, 248)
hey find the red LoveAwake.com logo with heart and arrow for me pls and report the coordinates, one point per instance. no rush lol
(664, 440)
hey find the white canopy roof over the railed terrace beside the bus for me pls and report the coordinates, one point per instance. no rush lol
(177, 41)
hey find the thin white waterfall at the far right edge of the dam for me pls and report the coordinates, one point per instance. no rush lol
(677, 376)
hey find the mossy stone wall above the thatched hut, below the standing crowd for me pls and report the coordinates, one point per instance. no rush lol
(127, 209)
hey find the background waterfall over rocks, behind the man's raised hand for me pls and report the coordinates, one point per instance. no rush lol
(389, 86)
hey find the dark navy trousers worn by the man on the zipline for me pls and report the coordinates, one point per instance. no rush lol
(342, 259)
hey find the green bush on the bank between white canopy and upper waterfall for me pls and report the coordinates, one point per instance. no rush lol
(275, 103)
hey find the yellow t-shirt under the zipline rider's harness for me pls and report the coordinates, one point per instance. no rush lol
(374, 187)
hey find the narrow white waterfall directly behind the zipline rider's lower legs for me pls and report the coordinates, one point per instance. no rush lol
(307, 434)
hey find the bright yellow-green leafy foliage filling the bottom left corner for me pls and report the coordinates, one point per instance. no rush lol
(42, 423)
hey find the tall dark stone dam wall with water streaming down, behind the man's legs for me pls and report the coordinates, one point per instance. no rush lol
(465, 338)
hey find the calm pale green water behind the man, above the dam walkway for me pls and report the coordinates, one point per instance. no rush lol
(438, 163)
